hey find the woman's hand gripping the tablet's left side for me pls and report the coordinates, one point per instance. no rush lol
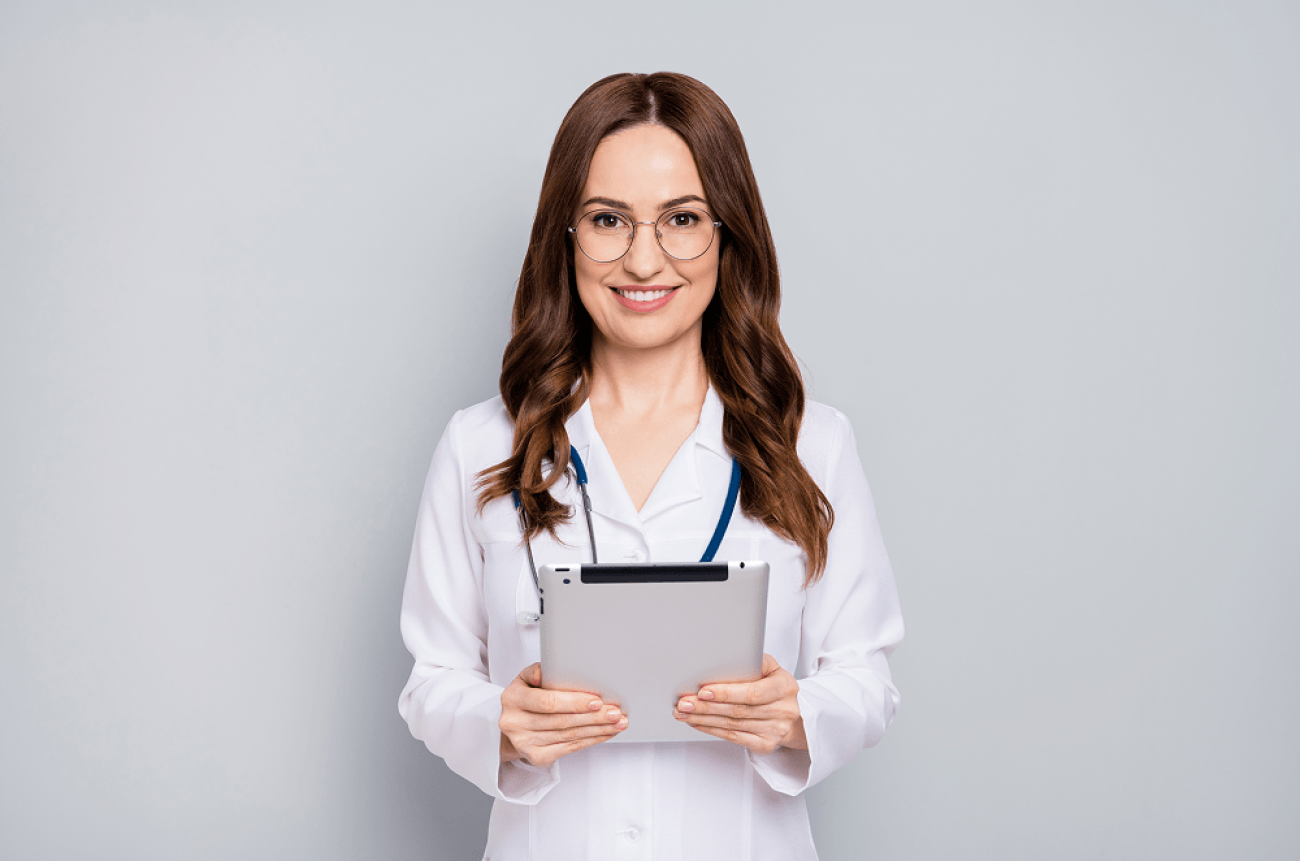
(541, 726)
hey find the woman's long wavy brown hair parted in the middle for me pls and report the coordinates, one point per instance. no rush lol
(547, 366)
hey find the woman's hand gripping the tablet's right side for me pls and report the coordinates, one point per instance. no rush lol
(761, 716)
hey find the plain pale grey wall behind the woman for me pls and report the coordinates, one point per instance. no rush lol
(253, 256)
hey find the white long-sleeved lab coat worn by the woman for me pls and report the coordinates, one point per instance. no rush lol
(466, 618)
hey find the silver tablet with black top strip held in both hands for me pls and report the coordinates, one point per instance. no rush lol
(644, 635)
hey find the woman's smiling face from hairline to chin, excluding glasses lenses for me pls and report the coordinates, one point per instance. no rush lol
(645, 300)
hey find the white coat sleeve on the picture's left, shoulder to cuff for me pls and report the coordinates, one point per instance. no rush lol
(450, 702)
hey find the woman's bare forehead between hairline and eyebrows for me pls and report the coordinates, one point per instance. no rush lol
(643, 166)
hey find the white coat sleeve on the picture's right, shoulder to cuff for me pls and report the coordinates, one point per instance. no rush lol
(852, 624)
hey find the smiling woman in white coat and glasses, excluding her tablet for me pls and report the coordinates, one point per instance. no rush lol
(645, 338)
